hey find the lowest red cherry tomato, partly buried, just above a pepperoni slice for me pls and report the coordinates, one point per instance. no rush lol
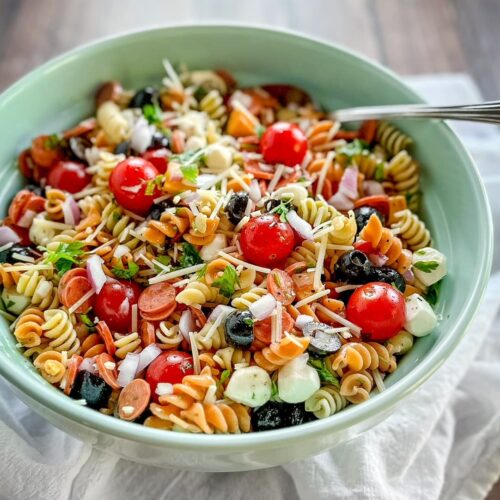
(169, 367)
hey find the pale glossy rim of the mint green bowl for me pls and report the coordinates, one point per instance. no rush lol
(58, 402)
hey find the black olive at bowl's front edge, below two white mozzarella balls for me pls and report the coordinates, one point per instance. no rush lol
(274, 415)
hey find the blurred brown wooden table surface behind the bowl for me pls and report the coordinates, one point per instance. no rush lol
(409, 36)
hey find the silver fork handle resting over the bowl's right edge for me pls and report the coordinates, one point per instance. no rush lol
(487, 112)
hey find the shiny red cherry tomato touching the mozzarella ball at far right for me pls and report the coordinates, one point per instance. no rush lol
(379, 309)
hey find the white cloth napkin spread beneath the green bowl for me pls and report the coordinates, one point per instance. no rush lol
(441, 443)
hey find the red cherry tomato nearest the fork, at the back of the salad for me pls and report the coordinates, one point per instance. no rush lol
(284, 143)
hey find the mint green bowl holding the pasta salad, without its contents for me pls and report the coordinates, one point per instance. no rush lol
(60, 93)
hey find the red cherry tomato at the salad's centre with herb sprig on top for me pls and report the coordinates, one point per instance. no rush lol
(265, 240)
